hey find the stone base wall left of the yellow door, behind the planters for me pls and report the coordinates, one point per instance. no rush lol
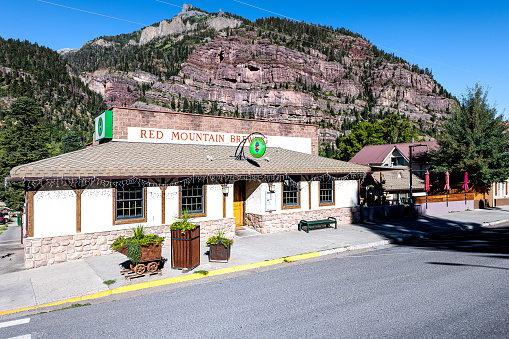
(47, 251)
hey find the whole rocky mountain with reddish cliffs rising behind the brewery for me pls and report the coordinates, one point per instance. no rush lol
(275, 69)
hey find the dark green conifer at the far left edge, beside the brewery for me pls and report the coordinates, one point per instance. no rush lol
(23, 140)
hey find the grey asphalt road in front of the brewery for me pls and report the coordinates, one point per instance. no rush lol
(450, 288)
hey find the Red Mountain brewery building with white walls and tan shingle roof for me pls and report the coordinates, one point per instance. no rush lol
(148, 167)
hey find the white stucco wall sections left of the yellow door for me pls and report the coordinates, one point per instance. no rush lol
(55, 211)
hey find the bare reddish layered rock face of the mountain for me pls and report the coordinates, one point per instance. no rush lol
(237, 73)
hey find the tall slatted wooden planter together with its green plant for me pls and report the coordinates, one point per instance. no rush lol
(185, 243)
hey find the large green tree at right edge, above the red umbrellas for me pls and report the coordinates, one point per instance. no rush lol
(474, 140)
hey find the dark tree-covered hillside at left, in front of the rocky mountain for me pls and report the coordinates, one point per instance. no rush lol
(33, 71)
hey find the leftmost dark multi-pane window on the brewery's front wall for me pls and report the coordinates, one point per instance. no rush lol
(130, 204)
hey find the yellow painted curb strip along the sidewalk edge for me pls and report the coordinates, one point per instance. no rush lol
(169, 281)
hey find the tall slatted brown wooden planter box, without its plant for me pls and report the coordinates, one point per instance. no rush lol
(185, 249)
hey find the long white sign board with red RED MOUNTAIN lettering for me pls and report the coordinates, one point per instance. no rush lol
(155, 135)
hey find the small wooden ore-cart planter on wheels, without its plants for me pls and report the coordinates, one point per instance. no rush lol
(150, 260)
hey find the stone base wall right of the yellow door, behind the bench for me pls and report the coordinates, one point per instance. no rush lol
(283, 222)
